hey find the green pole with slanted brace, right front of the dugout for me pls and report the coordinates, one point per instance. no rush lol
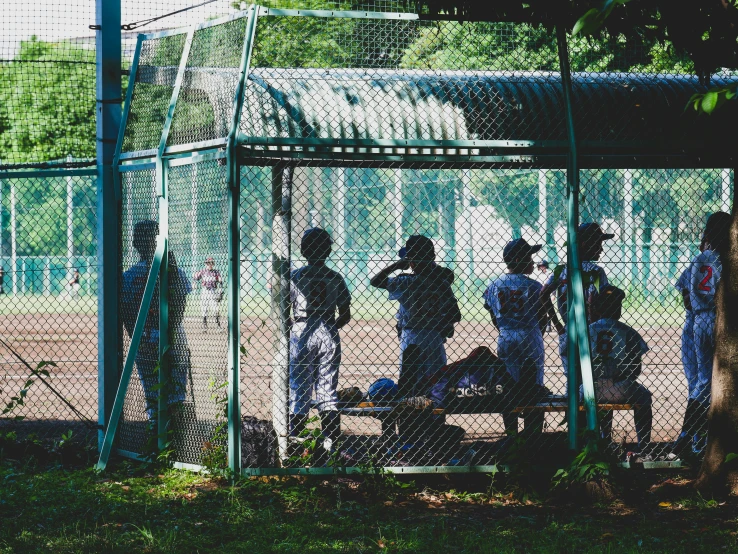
(577, 333)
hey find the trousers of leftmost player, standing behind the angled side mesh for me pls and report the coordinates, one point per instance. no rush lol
(147, 364)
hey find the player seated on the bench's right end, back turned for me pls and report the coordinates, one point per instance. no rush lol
(617, 352)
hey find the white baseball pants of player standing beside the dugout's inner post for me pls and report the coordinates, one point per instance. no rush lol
(315, 356)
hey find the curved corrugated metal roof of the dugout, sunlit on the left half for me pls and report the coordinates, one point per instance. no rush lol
(621, 119)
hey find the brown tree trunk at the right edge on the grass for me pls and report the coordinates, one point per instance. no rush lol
(715, 475)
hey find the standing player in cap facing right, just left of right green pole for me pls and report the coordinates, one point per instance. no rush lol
(514, 303)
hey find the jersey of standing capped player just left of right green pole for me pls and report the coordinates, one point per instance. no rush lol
(515, 301)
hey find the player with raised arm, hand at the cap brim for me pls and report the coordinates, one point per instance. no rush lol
(428, 311)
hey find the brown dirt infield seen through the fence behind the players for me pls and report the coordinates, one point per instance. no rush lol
(370, 351)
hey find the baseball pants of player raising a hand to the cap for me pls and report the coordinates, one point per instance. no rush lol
(420, 363)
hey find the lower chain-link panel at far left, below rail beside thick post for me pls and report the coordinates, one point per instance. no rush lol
(48, 288)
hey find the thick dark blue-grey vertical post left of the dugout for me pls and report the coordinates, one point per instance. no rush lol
(108, 60)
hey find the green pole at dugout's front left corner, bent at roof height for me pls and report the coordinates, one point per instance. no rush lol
(234, 253)
